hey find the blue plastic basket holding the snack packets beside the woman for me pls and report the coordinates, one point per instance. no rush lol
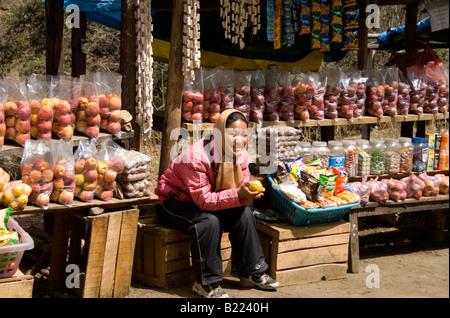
(298, 215)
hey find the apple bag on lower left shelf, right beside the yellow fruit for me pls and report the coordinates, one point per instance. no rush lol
(37, 170)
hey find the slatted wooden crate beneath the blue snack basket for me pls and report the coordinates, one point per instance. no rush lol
(302, 254)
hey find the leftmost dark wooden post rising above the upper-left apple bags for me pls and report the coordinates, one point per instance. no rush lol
(54, 21)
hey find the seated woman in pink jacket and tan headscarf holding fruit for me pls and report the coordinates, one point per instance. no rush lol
(204, 192)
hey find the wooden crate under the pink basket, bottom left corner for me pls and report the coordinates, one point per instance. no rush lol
(17, 286)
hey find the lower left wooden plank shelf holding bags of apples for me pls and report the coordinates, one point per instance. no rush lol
(78, 205)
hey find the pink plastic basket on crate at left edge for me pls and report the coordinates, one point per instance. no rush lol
(11, 255)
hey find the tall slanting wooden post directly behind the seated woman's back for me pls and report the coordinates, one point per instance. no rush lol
(175, 82)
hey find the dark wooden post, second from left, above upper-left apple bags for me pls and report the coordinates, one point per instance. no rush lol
(78, 56)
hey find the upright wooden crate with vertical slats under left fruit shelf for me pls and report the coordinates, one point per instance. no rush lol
(102, 247)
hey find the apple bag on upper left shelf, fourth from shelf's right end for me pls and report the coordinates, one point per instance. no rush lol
(40, 94)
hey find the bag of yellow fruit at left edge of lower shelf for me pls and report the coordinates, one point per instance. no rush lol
(15, 195)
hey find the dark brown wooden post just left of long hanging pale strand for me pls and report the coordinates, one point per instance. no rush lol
(128, 67)
